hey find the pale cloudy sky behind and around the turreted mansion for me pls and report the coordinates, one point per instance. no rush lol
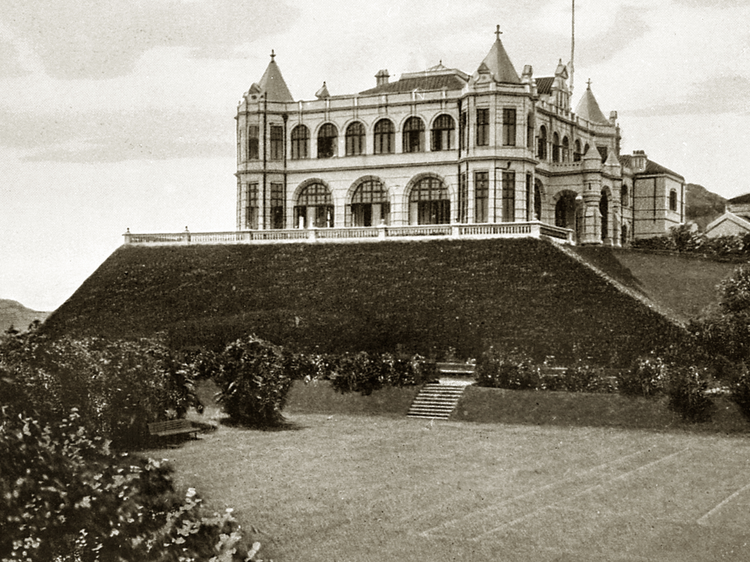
(120, 115)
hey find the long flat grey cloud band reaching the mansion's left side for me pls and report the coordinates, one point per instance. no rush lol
(137, 134)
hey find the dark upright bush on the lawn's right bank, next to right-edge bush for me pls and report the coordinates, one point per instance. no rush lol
(686, 389)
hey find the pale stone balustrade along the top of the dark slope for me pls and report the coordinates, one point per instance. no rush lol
(532, 229)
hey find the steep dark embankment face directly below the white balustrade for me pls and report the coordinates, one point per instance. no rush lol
(423, 297)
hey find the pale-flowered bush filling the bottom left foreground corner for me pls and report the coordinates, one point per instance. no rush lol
(65, 497)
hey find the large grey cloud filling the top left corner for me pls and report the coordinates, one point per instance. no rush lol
(98, 39)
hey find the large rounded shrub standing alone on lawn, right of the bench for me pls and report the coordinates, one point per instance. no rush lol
(254, 382)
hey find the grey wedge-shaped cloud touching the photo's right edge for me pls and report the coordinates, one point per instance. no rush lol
(717, 95)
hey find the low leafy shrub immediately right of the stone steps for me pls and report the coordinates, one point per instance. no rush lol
(513, 371)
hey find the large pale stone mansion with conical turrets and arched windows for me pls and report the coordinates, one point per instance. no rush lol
(443, 147)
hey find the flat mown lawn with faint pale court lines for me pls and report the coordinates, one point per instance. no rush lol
(359, 487)
